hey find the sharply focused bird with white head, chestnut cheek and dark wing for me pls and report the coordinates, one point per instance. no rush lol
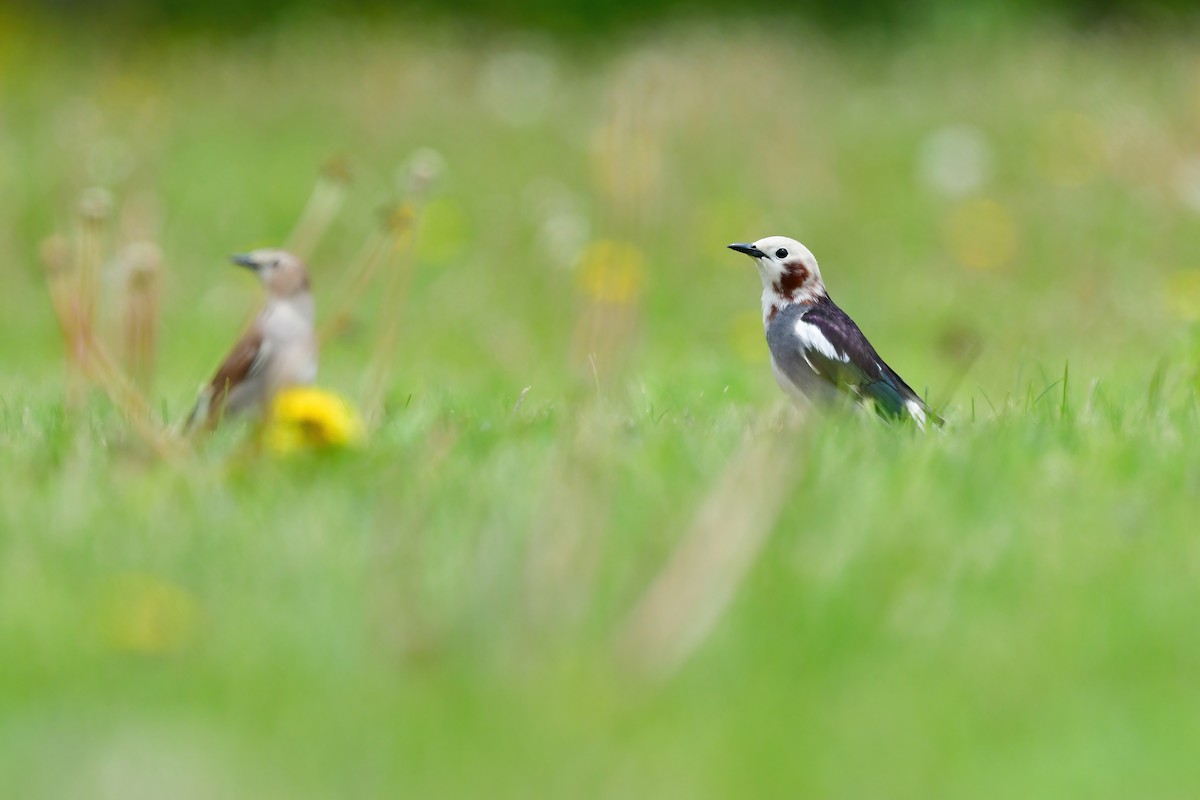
(818, 353)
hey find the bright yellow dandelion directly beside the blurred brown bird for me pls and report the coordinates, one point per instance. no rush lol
(311, 419)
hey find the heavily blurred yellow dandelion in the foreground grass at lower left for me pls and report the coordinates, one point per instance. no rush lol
(147, 615)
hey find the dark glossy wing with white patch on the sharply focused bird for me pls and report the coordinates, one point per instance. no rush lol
(838, 352)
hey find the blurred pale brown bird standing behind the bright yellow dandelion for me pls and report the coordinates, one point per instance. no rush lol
(279, 351)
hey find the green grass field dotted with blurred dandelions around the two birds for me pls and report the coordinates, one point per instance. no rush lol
(647, 578)
